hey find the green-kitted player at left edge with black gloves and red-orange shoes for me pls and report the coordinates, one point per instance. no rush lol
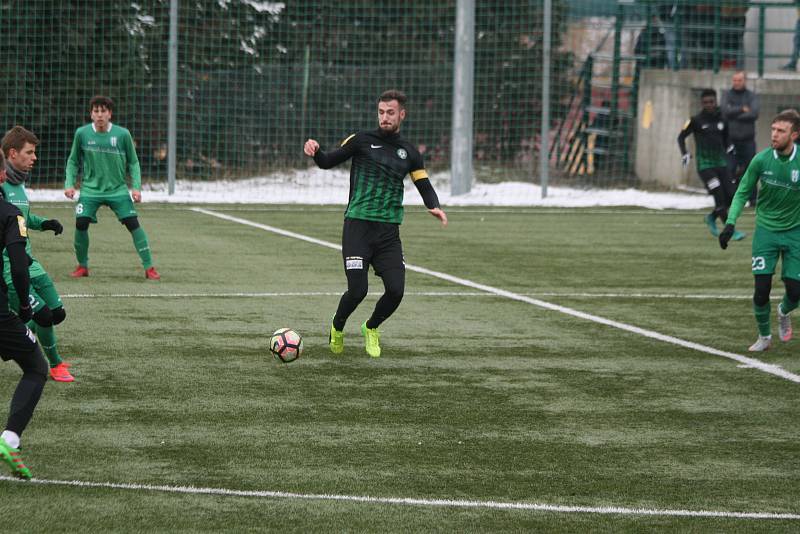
(19, 147)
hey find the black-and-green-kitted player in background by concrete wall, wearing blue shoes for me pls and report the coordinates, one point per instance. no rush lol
(711, 141)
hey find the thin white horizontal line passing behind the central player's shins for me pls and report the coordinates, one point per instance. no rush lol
(671, 296)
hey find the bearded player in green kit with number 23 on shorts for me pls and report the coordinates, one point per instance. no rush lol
(777, 234)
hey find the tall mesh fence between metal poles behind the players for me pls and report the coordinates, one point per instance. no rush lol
(255, 78)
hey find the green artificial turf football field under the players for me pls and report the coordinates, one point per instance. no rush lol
(488, 411)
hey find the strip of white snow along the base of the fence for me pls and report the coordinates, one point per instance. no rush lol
(315, 186)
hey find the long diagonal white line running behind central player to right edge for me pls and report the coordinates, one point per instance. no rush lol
(749, 362)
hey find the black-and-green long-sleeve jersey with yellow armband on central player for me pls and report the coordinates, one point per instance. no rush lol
(380, 163)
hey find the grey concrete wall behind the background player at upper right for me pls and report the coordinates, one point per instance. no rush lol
(666, 101)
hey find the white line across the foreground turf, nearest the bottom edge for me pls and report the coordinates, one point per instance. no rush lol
(537, 507)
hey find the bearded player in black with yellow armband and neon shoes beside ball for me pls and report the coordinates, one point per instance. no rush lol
(371, 233)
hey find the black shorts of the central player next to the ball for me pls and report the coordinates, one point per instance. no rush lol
(373, 243)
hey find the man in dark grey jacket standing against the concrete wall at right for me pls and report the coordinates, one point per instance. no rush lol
(739, 108)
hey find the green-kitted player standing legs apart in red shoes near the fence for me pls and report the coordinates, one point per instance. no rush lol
(108, 156)
